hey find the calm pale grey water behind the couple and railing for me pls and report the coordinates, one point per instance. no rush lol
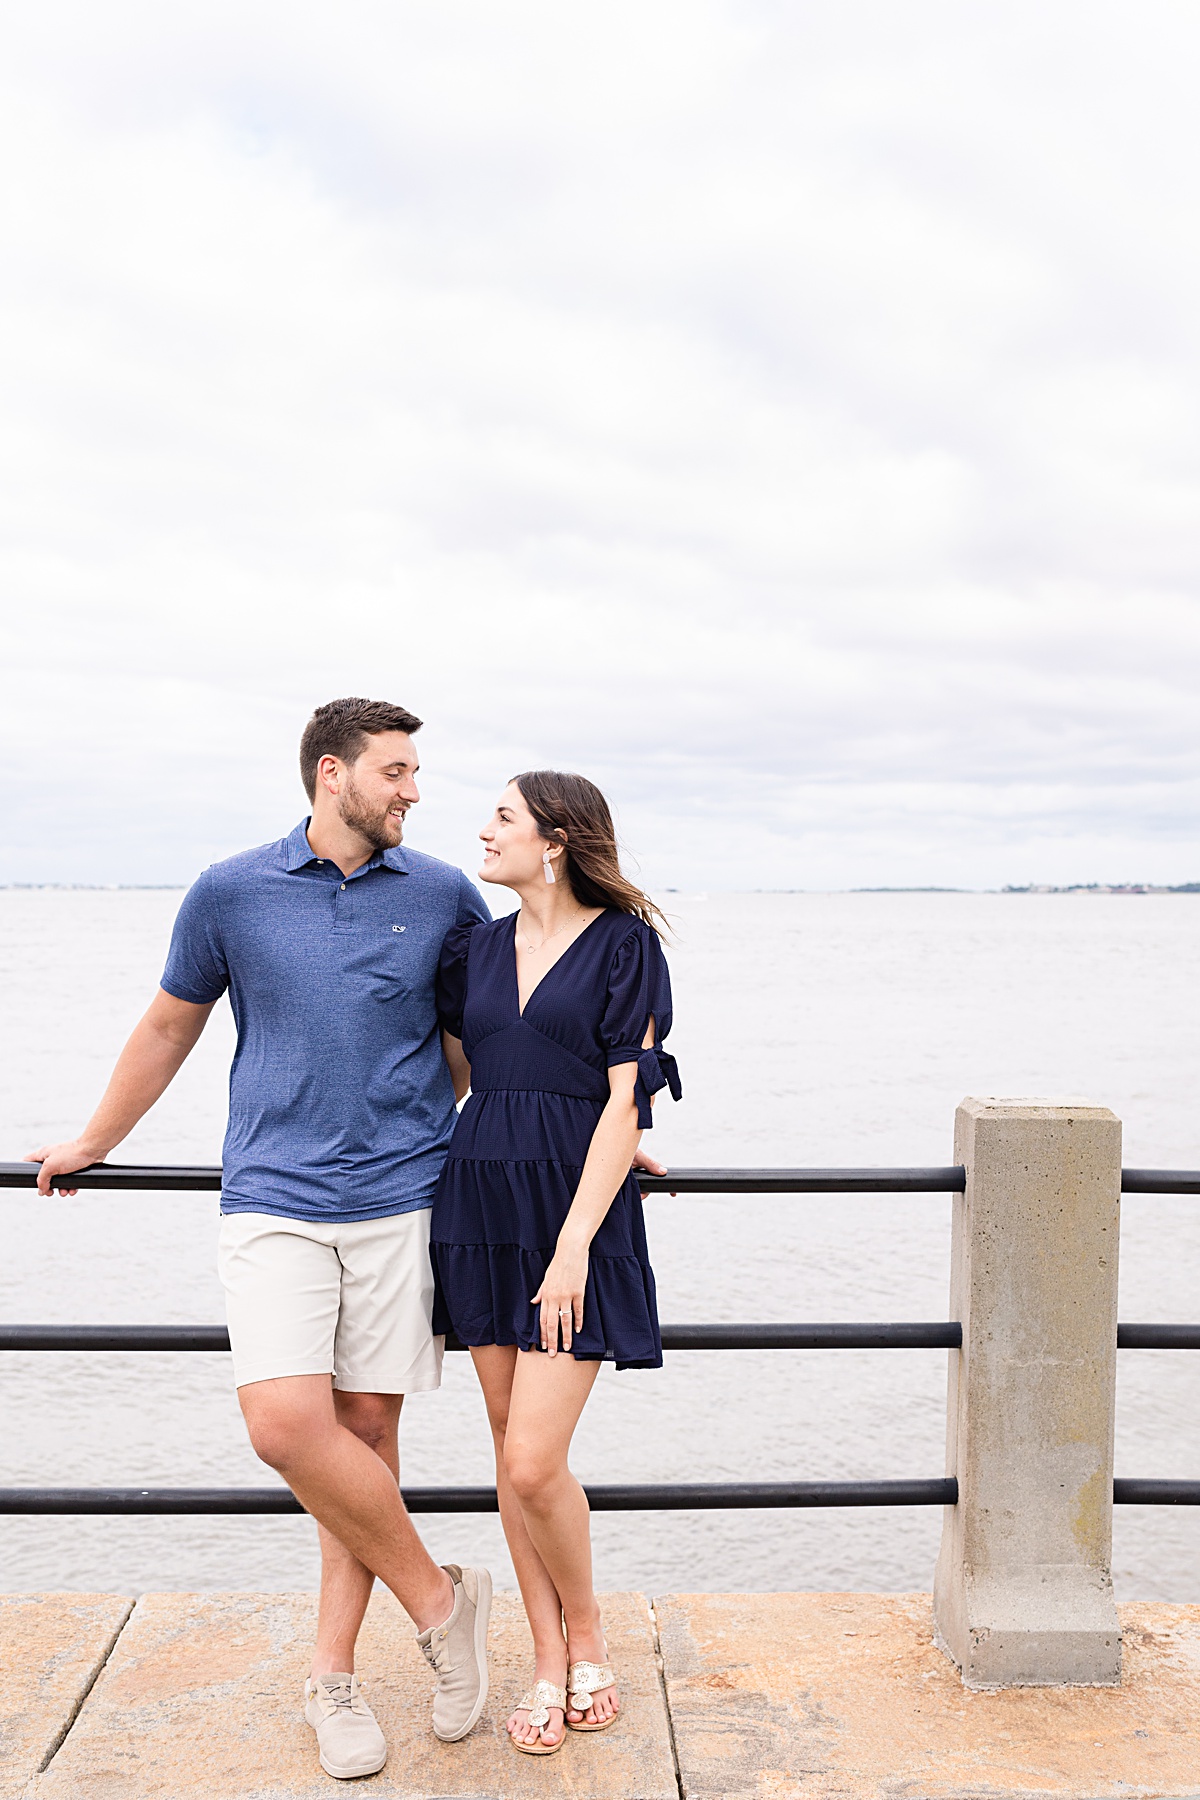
(812, 1029)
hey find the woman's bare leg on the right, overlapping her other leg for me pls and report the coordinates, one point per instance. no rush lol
(546, 1403)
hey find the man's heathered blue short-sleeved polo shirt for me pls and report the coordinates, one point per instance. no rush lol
(341, 1104)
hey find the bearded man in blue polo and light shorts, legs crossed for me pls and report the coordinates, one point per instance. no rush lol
(341, 1111)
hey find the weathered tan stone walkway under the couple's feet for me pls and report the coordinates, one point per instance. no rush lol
(726, 1698)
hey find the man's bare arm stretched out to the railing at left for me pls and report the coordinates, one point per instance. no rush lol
(147, 1066)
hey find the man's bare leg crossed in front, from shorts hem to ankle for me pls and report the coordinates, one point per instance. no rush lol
(346, 1488)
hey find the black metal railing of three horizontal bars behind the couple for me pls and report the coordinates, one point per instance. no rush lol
(935, 1335)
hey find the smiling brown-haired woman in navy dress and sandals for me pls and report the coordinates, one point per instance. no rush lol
(555, 1018)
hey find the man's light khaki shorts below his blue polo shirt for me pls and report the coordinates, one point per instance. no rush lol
(346, 1300)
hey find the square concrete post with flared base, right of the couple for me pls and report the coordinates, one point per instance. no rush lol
(1023, 1592)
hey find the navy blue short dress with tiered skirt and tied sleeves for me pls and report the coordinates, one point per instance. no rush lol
(539, 1088)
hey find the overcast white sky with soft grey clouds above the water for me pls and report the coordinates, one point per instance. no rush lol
(784, 413)
